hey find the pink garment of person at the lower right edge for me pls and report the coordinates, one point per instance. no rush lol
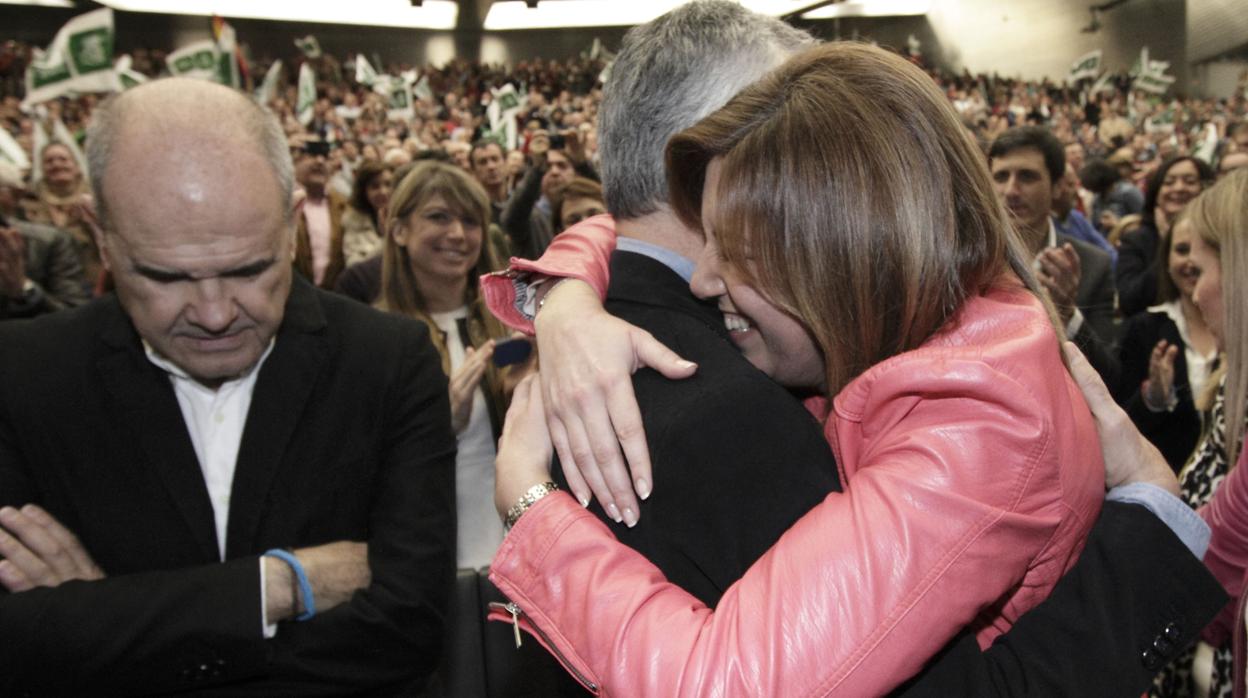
(1227, 558)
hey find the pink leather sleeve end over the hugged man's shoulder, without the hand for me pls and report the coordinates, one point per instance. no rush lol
(583, 252)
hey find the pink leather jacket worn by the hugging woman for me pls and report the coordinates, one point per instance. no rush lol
(972, 476)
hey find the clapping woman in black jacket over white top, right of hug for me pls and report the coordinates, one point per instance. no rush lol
(1168, 354)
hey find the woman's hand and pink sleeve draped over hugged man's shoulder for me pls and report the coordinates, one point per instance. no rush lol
(602, 433)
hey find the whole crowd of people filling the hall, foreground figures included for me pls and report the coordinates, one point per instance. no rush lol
(796, 229)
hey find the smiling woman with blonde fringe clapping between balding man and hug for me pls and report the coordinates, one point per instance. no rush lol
(435, 254)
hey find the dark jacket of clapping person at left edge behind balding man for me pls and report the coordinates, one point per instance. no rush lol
(53, 267)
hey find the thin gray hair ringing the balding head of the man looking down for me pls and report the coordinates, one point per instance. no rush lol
(180, 104)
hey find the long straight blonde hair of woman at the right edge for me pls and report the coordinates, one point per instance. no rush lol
(1220, 217)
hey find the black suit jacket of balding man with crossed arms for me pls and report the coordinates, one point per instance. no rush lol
(349, 438)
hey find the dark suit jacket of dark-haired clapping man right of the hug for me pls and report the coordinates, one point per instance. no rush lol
(1099, 335)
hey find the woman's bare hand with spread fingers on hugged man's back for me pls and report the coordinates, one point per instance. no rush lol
(588, 359)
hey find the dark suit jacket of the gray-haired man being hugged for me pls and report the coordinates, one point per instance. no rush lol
(719, 504)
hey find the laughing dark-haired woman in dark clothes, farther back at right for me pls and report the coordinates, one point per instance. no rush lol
(1175, 183)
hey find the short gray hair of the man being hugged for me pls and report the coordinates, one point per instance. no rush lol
(671, 74)
